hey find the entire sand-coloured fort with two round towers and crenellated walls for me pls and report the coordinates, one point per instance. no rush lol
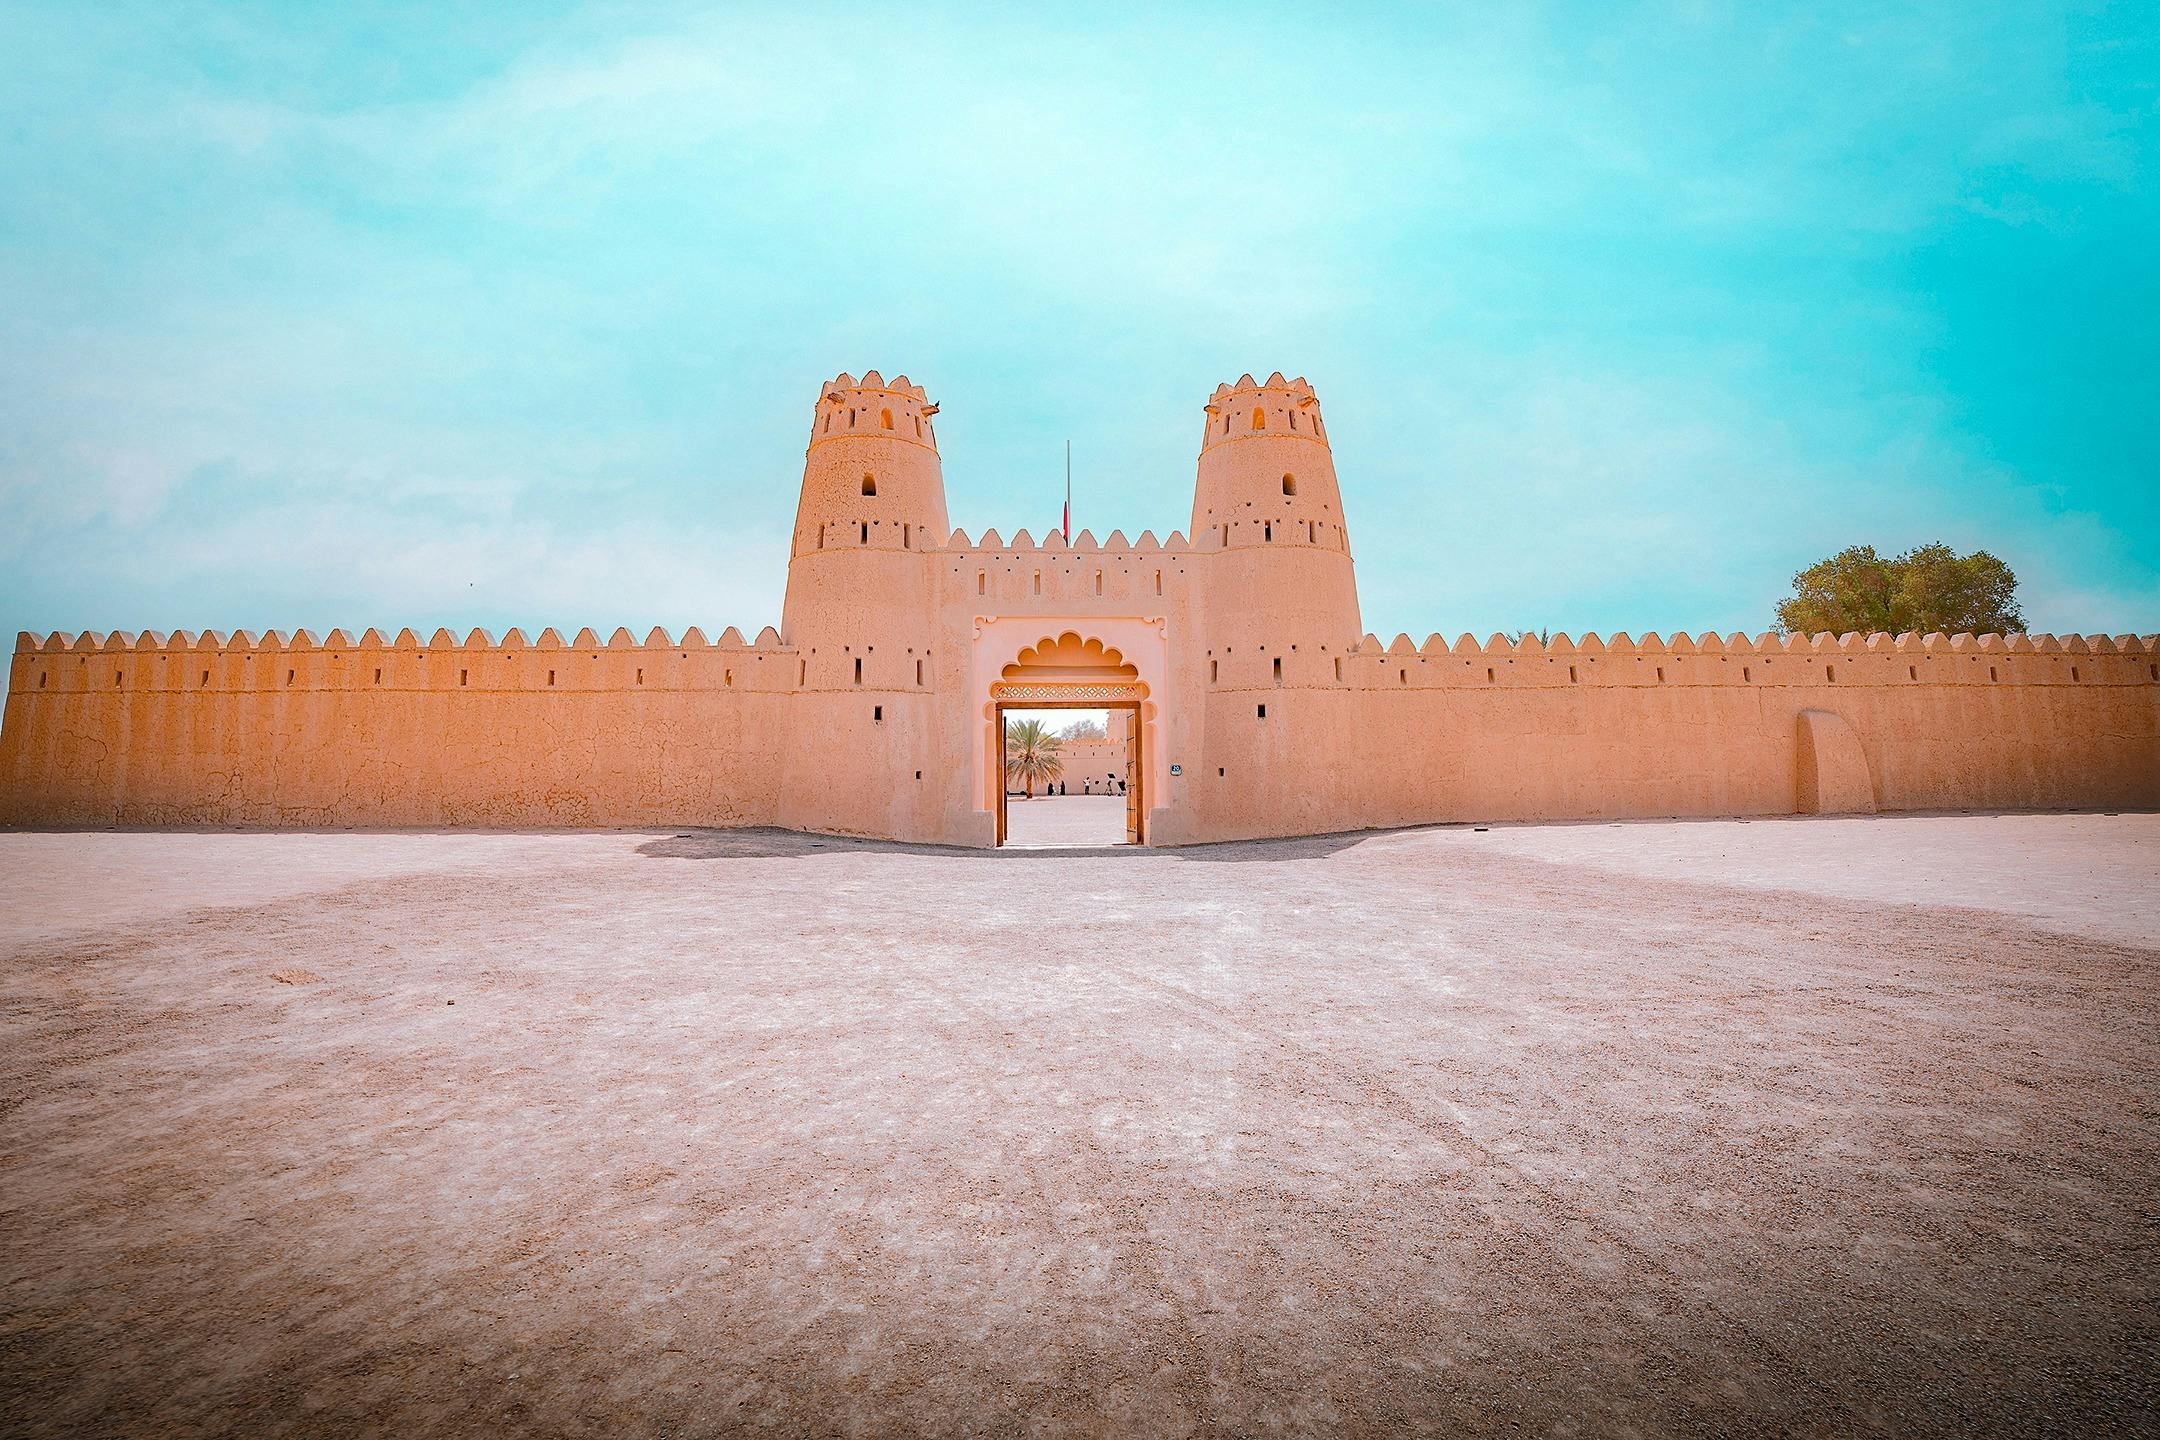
(1232, 655)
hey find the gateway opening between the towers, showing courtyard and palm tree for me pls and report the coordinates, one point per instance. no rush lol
(1072, 776)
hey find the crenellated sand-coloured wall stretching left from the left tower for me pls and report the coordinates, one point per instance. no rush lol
(291, 733)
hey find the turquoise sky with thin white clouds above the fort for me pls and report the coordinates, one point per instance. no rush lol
(498, 316)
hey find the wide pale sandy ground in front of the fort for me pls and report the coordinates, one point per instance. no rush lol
(1805, 1126)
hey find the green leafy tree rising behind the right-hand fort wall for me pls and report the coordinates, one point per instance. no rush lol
(1932, 588)
